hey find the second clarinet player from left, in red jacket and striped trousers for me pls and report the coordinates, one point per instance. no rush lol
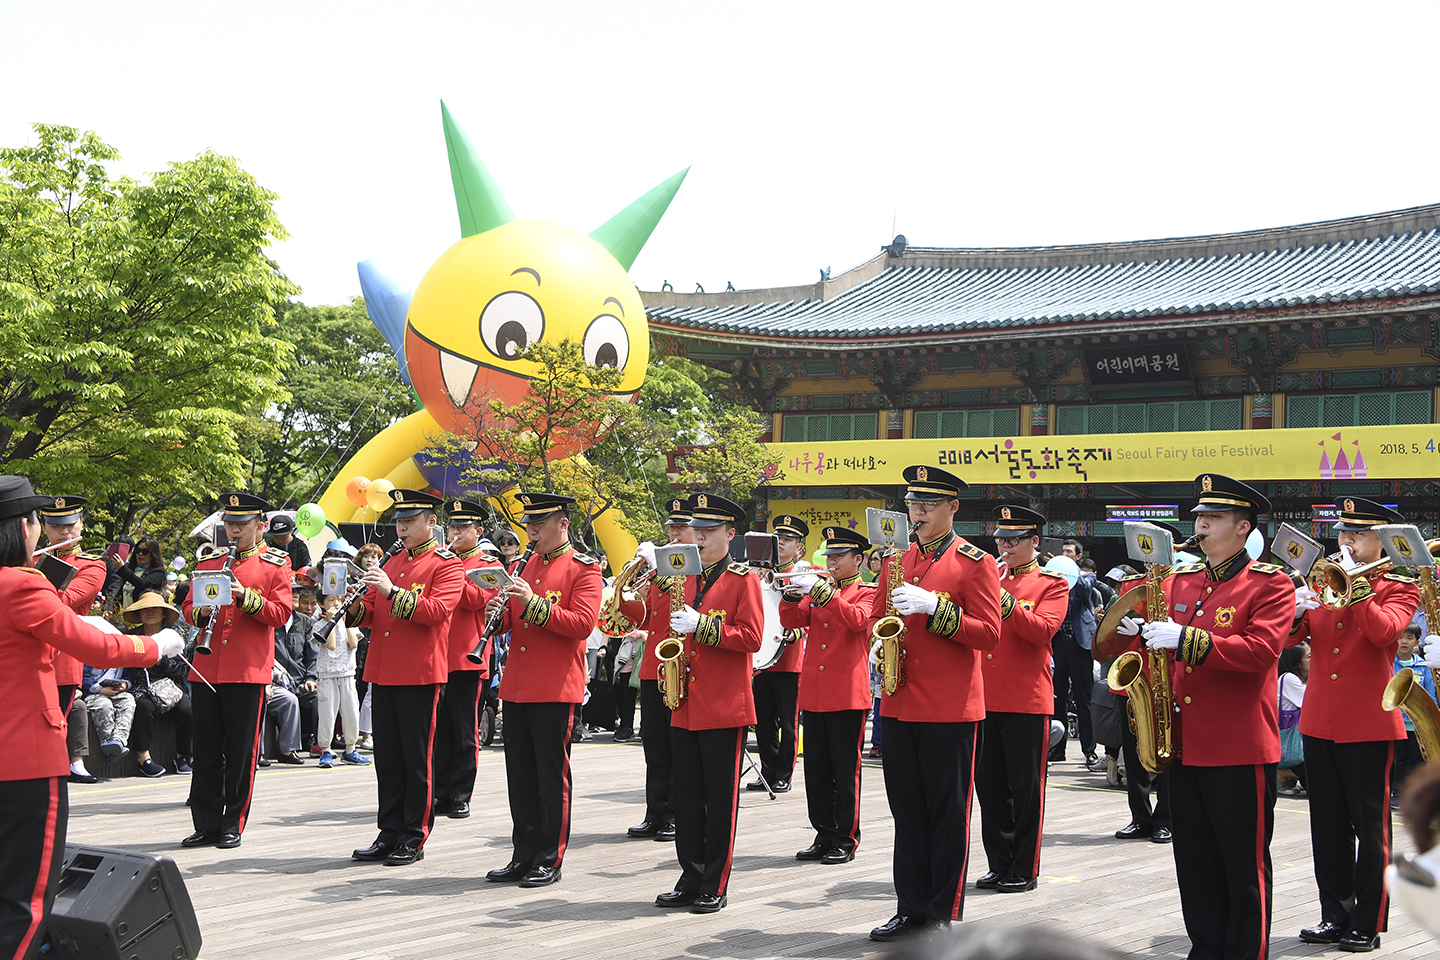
(408, 610)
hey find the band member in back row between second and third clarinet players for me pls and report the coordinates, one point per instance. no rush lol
(457, 730)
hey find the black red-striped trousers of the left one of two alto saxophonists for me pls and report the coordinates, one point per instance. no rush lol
(708, 804)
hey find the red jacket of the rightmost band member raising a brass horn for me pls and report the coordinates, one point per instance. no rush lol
(1353, 657)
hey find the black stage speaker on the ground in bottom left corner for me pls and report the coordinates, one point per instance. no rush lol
(119, 906)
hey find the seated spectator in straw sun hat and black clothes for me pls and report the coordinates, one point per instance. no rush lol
(161, 689)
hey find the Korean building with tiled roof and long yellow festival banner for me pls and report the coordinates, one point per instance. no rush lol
(1097, 382)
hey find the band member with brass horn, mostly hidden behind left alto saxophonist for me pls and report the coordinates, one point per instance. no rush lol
(654, 716)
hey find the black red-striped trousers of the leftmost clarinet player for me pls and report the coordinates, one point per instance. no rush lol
(227, 746)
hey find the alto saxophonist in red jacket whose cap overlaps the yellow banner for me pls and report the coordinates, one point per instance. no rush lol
(950, 601)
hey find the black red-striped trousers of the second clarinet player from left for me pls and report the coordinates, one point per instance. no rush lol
(404, 720)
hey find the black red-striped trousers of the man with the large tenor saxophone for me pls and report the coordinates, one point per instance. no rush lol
(1223, 820)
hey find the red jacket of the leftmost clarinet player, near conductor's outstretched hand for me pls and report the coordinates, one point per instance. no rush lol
(243, 647)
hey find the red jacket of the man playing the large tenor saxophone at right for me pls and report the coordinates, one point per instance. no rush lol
(1236, 618)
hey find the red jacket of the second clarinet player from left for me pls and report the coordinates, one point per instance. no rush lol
(410, 633)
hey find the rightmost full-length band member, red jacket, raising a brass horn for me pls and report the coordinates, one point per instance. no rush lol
(1350, 741)
